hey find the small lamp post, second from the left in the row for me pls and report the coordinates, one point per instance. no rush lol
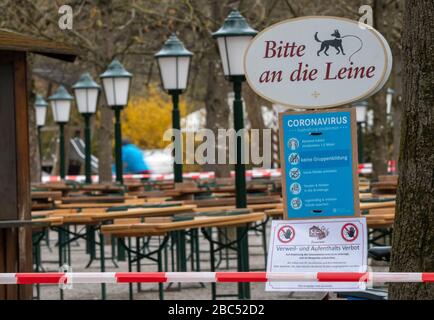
(61, 107)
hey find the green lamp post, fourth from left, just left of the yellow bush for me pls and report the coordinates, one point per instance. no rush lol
(116, 83)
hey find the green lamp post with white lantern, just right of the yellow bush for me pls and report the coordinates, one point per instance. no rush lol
(174, 62)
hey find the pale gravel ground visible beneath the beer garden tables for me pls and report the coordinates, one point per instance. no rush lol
(186, 291)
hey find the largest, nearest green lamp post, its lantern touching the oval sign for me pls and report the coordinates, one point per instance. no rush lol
(233, 38)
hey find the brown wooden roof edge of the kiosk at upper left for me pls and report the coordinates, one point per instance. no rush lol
(11, 40)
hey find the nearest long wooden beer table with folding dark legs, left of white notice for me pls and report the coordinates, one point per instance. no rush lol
(241, 219)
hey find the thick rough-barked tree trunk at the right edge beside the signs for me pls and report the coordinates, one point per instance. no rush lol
(413, 236)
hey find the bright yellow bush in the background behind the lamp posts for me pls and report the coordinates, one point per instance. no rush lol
(145, 119)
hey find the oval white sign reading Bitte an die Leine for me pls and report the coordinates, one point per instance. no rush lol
(317, 62)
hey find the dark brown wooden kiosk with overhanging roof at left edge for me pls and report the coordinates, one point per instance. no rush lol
(15, 224)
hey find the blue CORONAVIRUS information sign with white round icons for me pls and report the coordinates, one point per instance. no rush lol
(319, 163)
